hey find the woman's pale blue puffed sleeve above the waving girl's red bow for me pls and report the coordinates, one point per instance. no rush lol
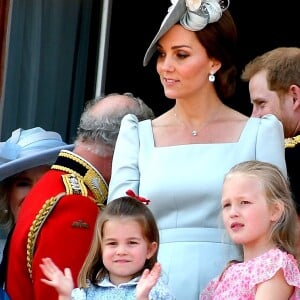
(125, 171)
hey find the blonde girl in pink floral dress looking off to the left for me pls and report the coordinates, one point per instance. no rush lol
(259, 214)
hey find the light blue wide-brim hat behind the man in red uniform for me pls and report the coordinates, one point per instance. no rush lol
(30, 148)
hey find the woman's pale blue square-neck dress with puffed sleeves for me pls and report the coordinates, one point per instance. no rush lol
(184, 185)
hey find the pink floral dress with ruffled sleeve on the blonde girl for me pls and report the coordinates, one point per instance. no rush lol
(239, 281)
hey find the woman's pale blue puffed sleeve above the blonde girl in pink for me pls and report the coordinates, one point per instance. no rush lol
(270, 142)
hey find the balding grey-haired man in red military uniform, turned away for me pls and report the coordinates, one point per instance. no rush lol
(58, 216)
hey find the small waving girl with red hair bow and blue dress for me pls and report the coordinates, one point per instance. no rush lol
(122, 262)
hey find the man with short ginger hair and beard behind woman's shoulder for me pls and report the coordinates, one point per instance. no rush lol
(274, 87)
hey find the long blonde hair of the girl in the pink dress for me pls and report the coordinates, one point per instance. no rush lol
(285, 232)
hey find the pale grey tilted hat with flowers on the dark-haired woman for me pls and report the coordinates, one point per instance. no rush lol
(193, 15)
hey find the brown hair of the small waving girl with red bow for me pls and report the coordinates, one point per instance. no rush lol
(93, 269)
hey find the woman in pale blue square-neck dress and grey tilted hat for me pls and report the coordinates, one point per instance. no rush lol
(179, 159)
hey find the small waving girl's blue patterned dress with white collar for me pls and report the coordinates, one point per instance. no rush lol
(106, 290)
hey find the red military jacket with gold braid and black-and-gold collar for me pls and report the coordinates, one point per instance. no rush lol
(56, 220)
